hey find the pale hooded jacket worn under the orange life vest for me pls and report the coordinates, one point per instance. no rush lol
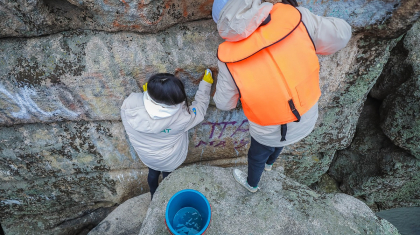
(329, 35)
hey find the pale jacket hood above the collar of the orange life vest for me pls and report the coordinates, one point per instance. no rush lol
(240, 18)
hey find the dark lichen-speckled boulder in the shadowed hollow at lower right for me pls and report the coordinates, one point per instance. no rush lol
(386, 179)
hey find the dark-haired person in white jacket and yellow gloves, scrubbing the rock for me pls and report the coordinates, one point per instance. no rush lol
(157, 122)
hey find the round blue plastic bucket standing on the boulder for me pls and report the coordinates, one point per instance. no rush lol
(181, 213)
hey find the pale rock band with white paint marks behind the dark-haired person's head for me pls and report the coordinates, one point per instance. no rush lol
(86, 75)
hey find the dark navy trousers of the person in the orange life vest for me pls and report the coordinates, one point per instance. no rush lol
(258, 156)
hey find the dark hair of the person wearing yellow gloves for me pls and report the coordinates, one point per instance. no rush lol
(167, 89)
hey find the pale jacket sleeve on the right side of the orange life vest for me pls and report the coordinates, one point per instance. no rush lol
(329, 34)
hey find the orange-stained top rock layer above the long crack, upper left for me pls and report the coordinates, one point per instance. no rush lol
(41, 17)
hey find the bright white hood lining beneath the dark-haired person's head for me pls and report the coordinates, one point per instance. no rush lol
(157, 110)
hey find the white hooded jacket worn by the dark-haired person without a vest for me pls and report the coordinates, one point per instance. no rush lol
(159, 135)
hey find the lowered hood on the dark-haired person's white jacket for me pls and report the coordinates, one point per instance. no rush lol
(139, 118)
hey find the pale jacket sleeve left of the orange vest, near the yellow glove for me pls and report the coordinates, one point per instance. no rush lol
(227, 94)
